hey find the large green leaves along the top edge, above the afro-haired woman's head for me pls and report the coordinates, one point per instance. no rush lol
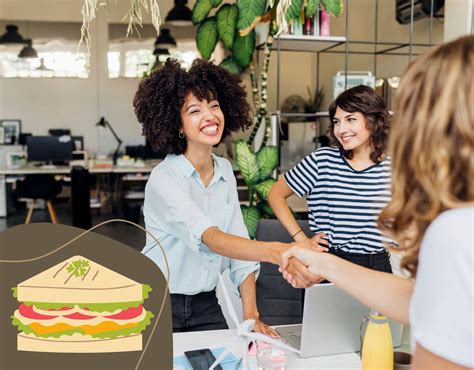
(234, 24)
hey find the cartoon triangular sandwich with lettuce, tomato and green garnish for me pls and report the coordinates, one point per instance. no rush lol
(79, 306)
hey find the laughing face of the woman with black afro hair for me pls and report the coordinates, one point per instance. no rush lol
(202, 122)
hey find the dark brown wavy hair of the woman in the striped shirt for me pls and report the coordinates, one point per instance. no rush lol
(365, 100)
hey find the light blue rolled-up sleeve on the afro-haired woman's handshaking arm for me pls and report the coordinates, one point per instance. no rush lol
(179, 215)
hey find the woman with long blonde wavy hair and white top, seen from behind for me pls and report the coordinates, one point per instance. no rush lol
(431, 213)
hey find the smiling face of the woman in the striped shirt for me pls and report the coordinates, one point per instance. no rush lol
(350, 129)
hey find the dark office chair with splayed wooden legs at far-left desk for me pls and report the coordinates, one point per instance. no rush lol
(40, 187)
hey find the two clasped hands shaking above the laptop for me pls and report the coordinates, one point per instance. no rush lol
(302, 263)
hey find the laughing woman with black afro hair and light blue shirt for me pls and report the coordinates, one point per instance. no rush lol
(191, 202)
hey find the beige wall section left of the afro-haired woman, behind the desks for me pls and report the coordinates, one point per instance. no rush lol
(68, 102)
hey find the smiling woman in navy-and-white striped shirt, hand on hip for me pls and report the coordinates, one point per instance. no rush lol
(347, 185)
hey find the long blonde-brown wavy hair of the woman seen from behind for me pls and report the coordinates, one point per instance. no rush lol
(432, 144)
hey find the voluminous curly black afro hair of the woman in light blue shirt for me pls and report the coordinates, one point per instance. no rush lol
(160, 98)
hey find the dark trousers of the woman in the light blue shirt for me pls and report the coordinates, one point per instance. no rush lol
(197, 312)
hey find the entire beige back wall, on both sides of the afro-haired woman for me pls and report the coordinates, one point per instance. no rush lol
(77, 104)
